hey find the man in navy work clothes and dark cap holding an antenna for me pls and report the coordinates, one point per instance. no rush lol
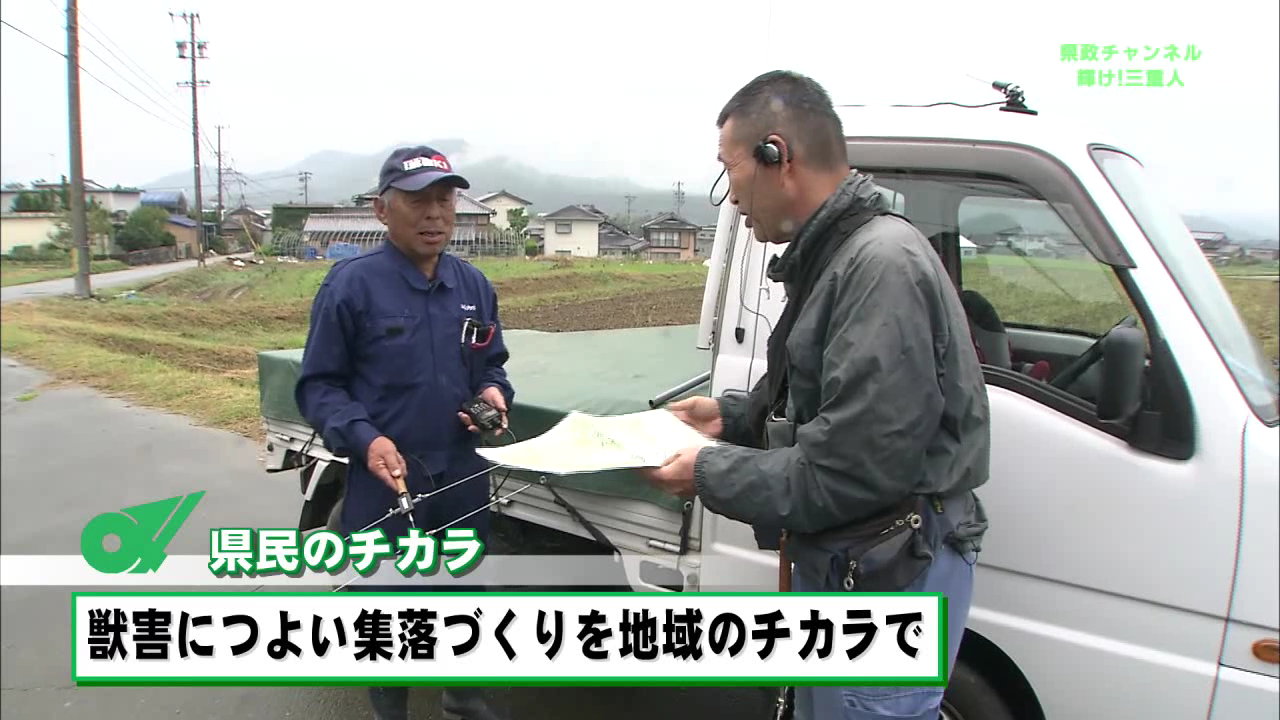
(401, 338)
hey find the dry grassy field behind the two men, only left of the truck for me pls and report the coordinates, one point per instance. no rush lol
(189, 344)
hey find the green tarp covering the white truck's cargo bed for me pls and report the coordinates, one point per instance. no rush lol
(597, 372)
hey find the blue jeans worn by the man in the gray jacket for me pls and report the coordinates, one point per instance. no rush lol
(950, 575)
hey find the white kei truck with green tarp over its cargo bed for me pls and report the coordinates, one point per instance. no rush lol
(1132, 568)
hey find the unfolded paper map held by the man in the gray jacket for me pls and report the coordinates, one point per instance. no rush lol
(588, 444)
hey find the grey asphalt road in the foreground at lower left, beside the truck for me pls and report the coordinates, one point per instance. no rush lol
(68, 454)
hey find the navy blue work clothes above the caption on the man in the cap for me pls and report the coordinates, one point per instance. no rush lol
(386, 356)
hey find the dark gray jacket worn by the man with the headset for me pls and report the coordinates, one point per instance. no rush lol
(886, 393)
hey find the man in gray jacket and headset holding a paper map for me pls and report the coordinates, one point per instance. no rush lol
(874, 409)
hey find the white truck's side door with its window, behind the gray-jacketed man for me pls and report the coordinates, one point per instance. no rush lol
(1108, 569)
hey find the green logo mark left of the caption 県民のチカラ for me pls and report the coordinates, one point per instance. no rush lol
(143, 534)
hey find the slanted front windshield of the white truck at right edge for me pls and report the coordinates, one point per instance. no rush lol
(1197, 280)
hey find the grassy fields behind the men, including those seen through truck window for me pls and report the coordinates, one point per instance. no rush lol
(189, 344)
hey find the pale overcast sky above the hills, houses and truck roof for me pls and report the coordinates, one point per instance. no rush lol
(584, 89)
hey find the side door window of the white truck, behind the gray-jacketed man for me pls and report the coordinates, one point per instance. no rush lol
(1036, 297)
